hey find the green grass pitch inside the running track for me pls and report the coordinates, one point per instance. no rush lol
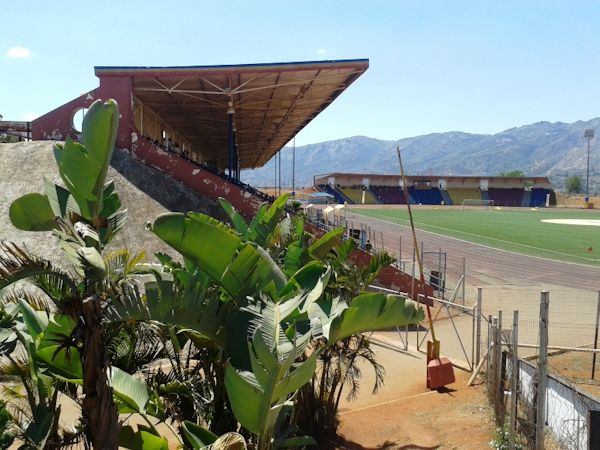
(520, 231)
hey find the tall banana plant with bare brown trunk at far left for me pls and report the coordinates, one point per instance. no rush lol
(84, 215)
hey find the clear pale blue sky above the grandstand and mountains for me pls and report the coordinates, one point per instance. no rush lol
(435, 66)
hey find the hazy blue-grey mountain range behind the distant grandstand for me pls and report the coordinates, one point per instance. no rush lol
(553, 149)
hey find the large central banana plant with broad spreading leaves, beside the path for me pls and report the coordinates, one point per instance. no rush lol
(267, 338)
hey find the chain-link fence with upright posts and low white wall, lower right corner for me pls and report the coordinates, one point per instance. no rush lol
(538, 405)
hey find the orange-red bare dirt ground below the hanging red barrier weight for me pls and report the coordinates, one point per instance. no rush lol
(457, 418)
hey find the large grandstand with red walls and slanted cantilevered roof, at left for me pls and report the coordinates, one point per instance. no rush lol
(202, 125)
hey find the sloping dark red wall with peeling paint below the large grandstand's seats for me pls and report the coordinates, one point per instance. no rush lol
(194, 177)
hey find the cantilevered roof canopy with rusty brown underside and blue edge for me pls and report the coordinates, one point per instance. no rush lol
(270, 102)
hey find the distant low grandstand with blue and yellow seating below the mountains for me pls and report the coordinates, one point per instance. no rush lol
(355, 188)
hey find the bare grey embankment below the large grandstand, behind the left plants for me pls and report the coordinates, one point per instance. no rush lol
(145, 193)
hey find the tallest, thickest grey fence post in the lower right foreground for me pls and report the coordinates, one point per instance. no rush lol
(540, 417)
